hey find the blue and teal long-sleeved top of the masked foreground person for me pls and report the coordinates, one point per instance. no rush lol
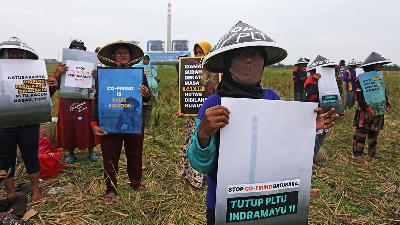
(205, 160)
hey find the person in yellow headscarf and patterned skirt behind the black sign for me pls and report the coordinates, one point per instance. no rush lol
(193, 177)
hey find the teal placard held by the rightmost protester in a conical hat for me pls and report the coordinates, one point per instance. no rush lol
(373, 86)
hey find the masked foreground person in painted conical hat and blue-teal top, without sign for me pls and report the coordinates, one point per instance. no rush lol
(241, 59)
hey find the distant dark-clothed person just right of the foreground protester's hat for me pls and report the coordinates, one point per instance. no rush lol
(299, 77)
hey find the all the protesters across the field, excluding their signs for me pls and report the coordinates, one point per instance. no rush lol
(242, 66)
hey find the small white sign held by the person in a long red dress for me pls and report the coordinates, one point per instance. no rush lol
(79, 74)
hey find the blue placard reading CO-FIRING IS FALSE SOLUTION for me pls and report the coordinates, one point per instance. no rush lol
(120, 100)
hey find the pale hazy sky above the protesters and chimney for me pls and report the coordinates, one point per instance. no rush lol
(335, 29)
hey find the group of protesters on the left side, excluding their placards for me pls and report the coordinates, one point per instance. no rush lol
(77, 126)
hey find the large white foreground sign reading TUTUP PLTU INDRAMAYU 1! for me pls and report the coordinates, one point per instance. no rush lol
(265, 162)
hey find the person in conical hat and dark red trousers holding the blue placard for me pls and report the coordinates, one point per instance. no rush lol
(121, 54)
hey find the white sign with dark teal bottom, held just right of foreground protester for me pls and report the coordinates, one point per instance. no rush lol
(329, 95)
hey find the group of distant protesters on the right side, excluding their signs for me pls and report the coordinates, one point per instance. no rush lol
(367, 124)
